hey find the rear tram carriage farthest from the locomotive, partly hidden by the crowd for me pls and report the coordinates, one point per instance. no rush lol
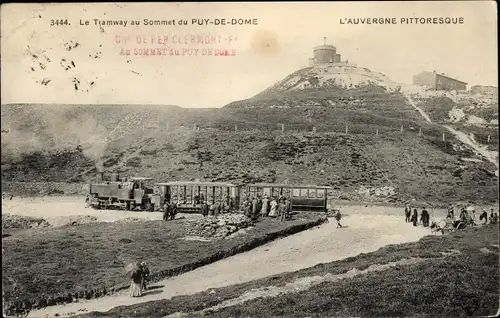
(304, 198)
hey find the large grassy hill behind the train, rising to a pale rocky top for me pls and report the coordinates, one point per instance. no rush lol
(244, 141)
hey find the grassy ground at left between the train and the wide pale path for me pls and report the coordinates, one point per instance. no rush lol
(90, 256)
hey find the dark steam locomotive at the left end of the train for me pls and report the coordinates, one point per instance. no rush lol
(127, 193)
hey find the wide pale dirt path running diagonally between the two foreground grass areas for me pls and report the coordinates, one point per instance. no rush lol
(326, 243)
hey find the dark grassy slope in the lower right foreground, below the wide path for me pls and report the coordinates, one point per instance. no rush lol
(431, 288)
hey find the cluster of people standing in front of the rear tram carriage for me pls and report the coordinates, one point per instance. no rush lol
(254, 207)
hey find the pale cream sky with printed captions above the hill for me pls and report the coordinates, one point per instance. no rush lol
(40, 63)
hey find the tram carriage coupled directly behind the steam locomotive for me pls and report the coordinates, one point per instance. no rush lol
(189, 195)
